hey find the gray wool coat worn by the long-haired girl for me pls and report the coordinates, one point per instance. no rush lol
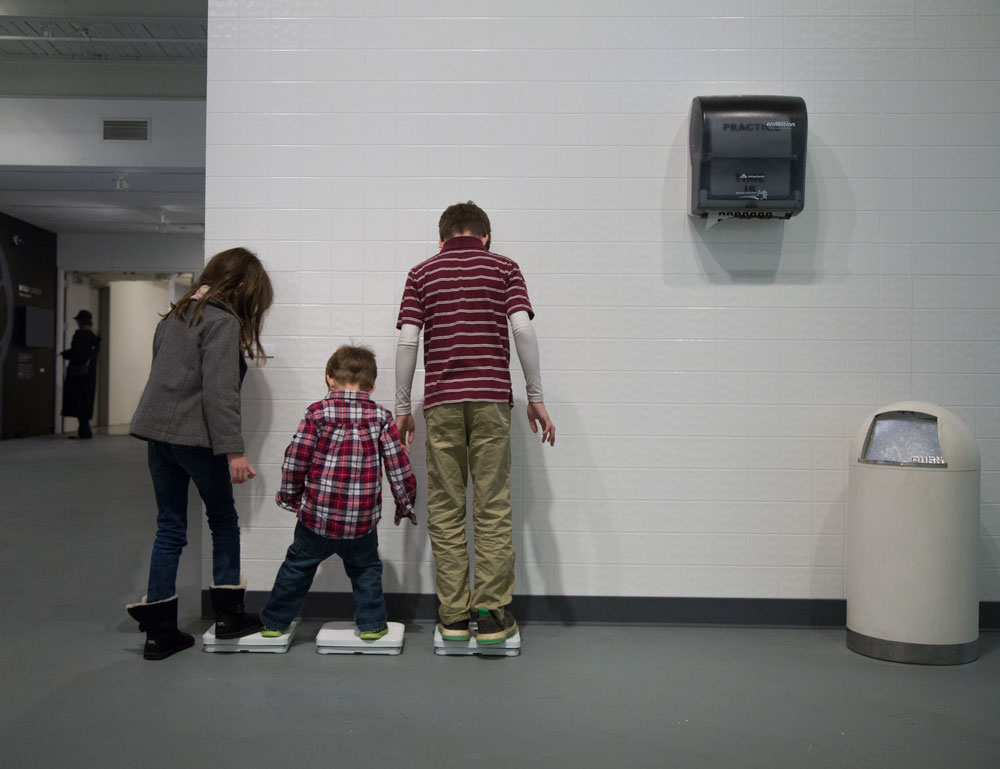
(192, 397)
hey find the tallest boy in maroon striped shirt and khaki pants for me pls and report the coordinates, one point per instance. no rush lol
(462, 298)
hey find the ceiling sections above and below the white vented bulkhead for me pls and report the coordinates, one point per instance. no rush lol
(107, 48)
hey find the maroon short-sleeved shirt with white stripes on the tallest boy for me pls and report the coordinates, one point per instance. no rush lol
(462, 298)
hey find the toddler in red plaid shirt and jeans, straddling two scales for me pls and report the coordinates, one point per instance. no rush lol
(332, 479)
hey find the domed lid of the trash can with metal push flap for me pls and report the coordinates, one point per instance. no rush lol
(915, 434)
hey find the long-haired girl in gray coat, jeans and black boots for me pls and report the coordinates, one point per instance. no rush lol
(189, 414)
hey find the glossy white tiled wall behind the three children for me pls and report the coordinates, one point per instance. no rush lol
(705, 383)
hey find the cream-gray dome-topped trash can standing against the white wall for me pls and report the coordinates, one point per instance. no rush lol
(912, 534)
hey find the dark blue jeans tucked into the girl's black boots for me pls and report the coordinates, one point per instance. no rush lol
(172, 467)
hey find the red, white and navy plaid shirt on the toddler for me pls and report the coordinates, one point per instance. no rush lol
(332, 473)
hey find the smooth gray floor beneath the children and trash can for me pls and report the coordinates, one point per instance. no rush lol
(76, 693)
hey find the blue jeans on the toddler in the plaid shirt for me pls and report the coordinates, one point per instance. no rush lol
(307, 551)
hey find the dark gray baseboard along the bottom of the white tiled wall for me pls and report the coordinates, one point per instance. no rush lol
(602, 610)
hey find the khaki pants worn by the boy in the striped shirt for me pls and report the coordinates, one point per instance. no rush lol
(464, 437)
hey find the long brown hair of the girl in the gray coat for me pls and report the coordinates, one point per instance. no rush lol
(237, 278)
